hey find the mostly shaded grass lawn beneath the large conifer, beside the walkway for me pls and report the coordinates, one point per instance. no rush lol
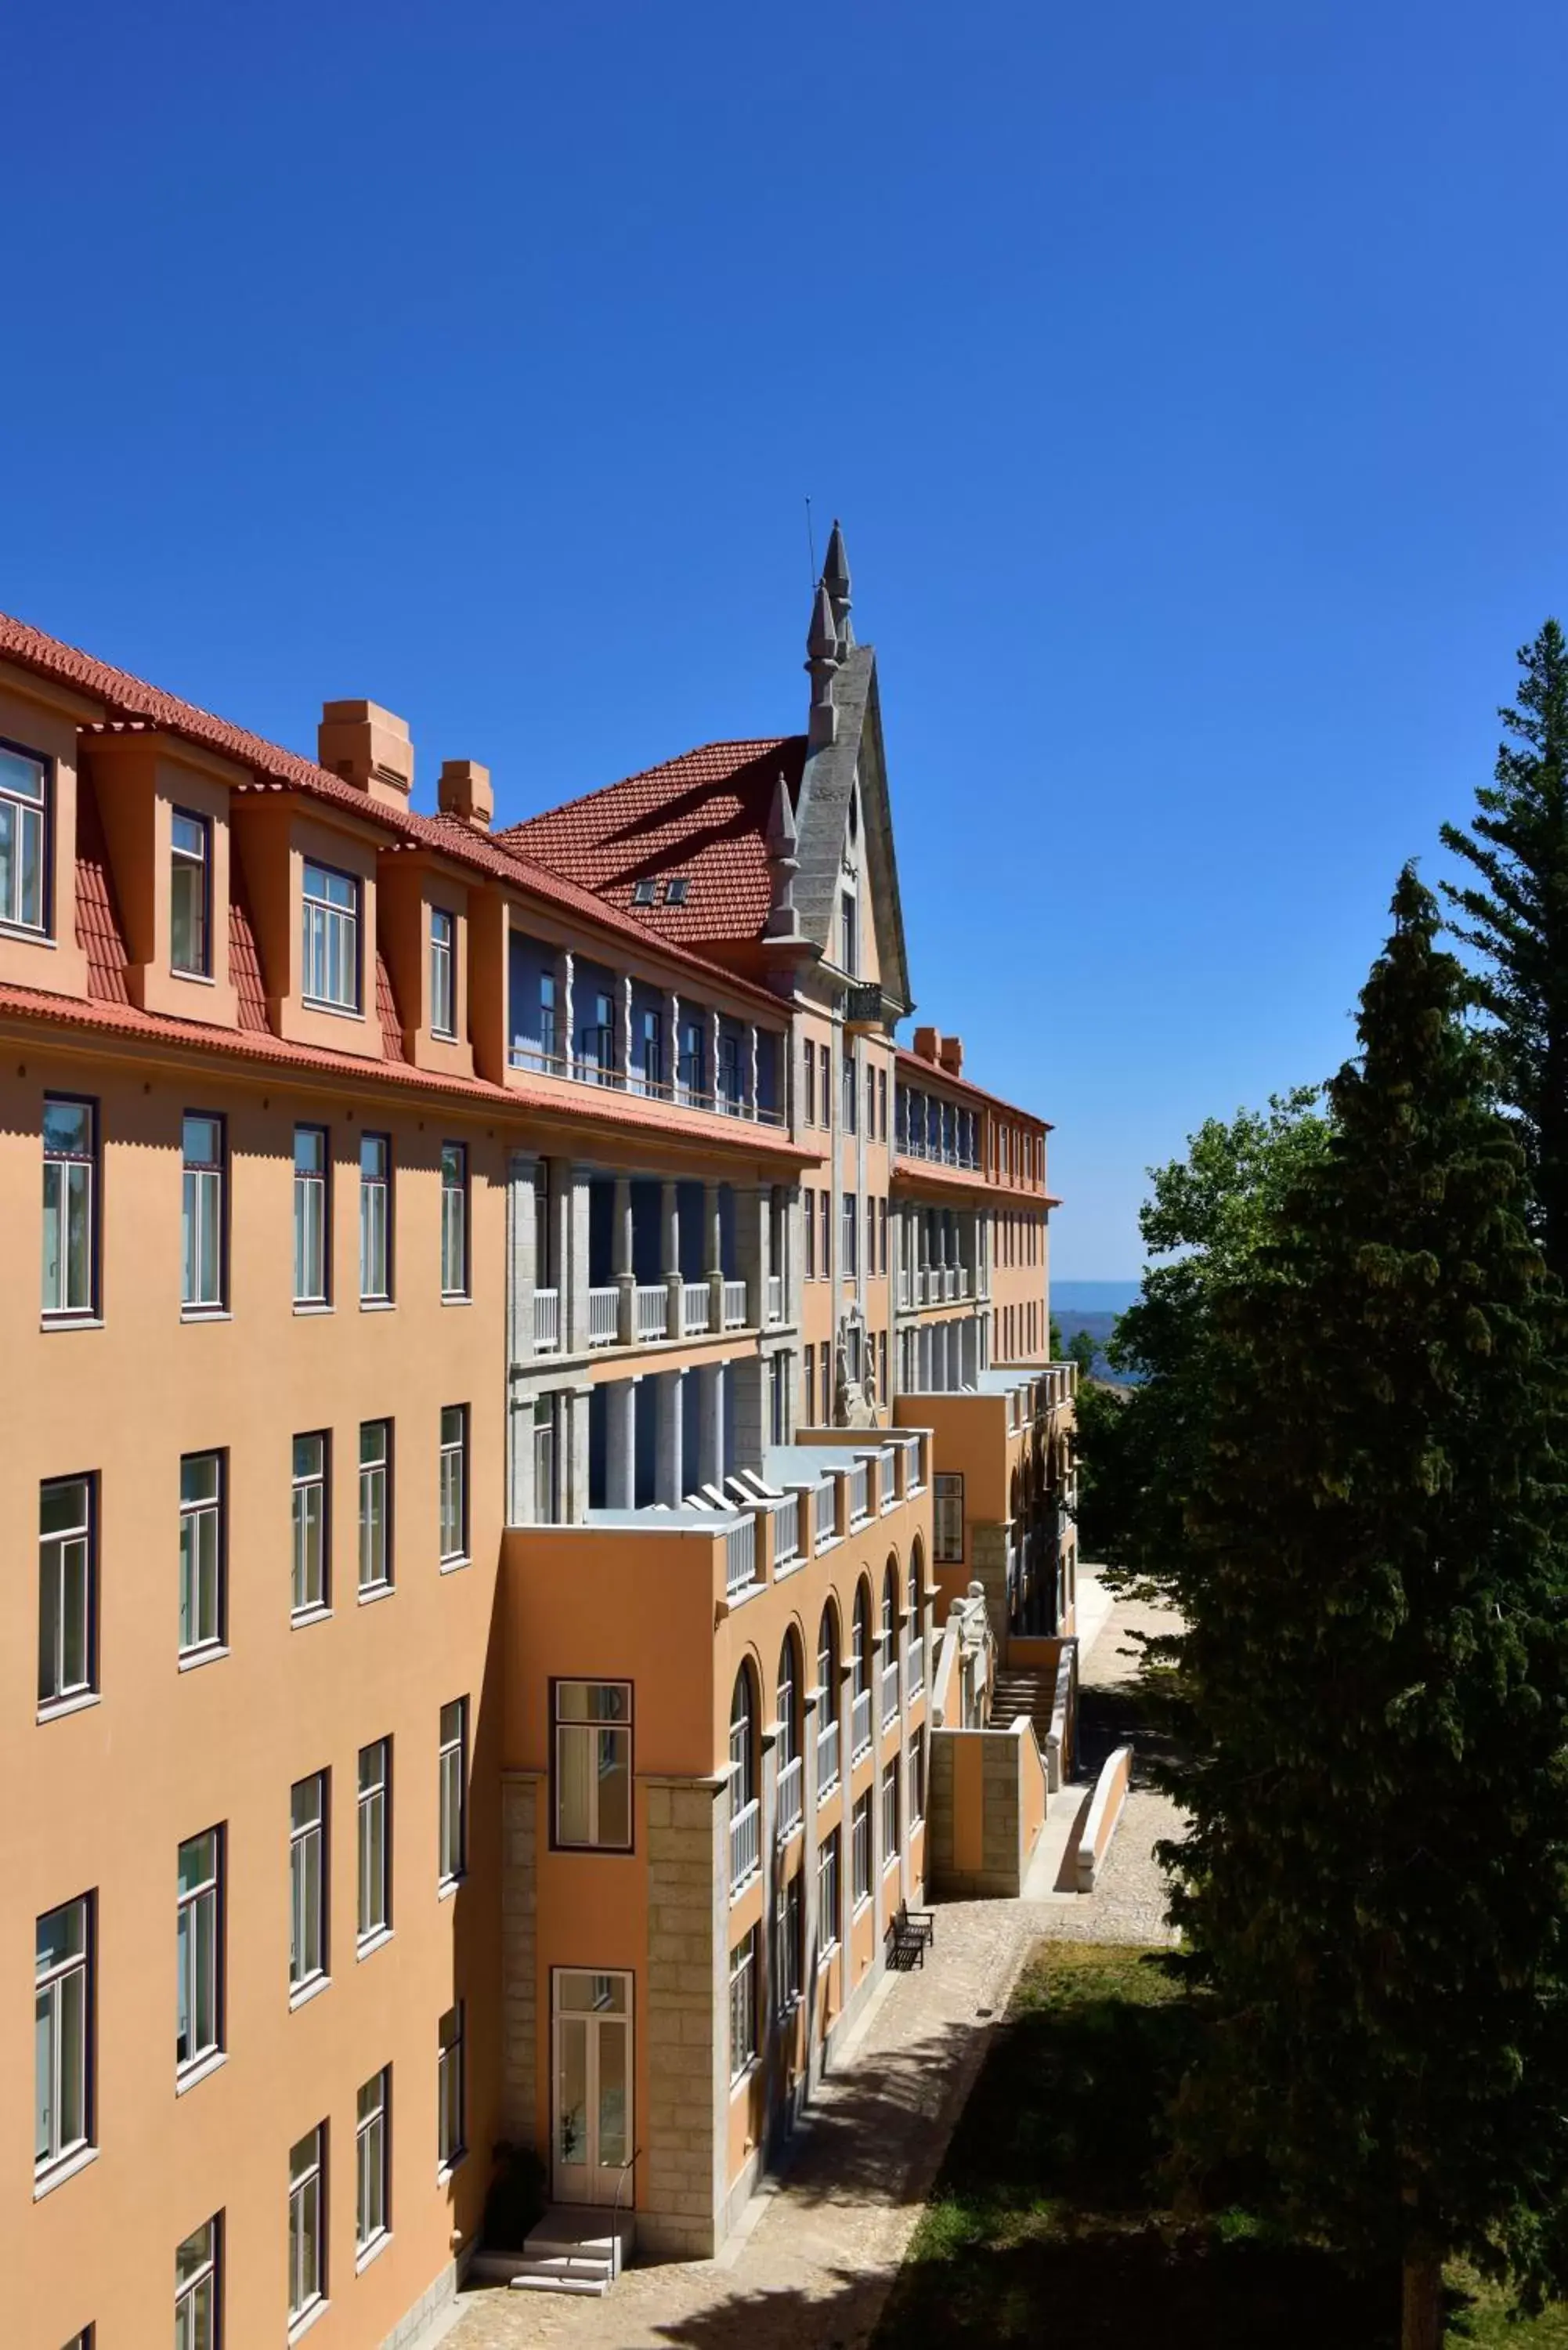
(1045, 2222)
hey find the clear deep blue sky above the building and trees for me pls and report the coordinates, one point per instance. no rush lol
(1191, 384)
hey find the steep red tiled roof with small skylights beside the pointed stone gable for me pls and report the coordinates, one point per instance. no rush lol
(704, 817)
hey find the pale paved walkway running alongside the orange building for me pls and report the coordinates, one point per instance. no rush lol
(822, 2243)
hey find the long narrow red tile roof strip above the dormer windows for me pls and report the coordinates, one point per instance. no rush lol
(283, 770)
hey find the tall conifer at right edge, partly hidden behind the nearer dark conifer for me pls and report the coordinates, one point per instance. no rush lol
(1515, 915)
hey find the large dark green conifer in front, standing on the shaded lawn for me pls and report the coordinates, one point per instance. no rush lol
(1376, 1677)
